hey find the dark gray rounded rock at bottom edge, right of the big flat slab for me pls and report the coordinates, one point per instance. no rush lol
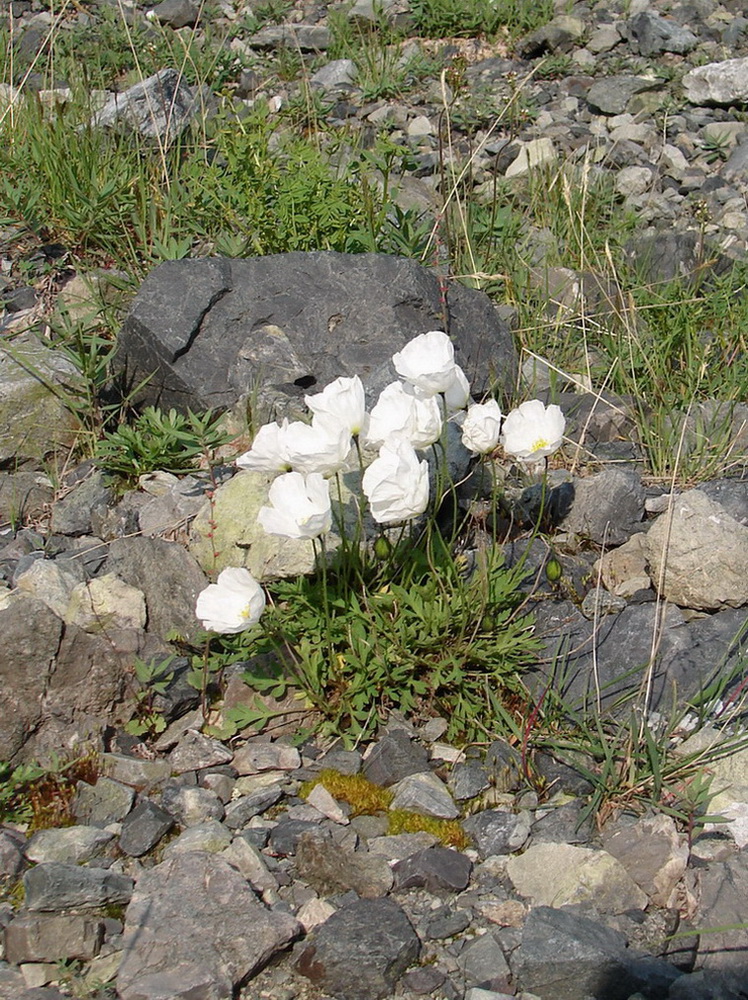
(372, 937)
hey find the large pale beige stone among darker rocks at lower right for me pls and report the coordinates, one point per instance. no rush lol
(563, 874)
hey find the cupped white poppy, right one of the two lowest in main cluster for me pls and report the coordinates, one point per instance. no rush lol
(396, 484)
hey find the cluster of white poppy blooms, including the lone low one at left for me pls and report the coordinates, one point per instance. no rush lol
(408, 416)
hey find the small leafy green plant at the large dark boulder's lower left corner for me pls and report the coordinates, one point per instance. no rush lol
(160, 439)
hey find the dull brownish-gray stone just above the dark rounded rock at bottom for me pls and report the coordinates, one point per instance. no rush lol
(327, 867)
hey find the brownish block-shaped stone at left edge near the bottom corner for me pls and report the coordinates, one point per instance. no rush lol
(34, 937)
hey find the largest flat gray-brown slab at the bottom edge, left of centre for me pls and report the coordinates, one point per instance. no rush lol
(186, 932)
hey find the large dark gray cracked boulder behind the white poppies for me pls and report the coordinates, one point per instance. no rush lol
(207, 331)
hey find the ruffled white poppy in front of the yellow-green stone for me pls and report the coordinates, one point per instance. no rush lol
(299, 506)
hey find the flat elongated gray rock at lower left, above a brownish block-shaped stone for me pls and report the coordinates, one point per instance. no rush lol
(55, 886)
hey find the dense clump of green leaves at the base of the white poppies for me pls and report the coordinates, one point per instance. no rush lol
(413, 635)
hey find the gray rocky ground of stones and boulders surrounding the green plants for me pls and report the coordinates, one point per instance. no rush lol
(198, 868)
